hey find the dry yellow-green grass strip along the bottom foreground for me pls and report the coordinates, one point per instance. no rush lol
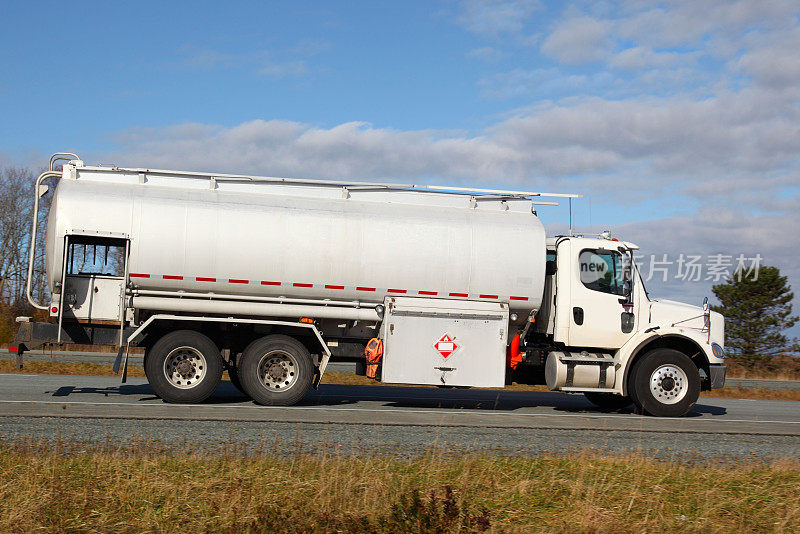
(45, 488)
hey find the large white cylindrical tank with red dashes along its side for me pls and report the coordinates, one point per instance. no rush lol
(237, 235)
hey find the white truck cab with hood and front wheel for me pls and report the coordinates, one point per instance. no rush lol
(599, 332)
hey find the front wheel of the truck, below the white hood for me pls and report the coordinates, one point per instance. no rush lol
(666, 383)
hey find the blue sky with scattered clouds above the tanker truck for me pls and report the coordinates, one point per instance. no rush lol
(677, 120)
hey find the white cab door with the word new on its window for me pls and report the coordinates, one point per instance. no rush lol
(601, 301)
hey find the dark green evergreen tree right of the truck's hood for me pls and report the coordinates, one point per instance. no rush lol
(757, 309)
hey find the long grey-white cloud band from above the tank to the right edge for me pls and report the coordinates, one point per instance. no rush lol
(723, 145)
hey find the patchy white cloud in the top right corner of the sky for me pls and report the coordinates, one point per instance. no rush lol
(682, 46)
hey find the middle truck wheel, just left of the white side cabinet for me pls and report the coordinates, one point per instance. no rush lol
(276, 370)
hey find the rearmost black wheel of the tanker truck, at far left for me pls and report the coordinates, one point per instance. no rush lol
(184, 367)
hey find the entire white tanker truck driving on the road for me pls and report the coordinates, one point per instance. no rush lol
(272, 278)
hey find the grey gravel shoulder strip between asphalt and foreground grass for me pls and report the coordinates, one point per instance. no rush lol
(404, 441)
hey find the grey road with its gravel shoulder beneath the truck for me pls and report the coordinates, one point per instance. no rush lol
(401, 420)
